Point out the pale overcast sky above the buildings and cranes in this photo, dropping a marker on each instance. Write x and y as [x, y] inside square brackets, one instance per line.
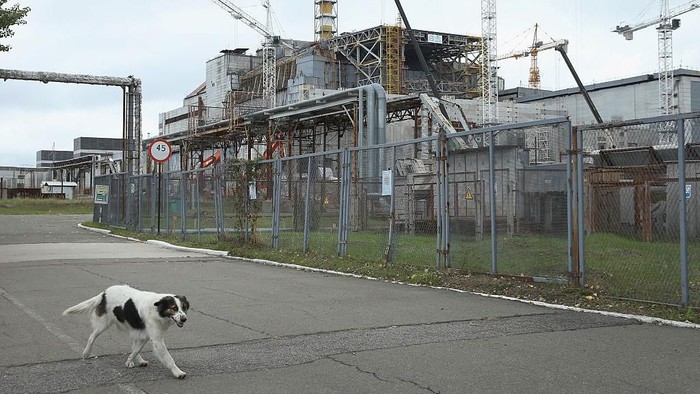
[166, 44]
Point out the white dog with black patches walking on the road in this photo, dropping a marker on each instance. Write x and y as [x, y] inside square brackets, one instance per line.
[145, 315]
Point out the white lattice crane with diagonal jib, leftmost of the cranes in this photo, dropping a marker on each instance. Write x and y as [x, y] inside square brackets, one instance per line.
[269, 50]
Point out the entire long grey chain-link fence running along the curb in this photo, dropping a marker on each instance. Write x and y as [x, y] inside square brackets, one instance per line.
[599, 206]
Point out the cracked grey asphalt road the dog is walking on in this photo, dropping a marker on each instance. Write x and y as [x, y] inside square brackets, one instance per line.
[256, 328]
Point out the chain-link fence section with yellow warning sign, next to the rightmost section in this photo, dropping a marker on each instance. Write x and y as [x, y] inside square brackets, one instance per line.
[508, 200]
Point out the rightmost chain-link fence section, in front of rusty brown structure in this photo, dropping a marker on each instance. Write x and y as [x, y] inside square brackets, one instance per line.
[641, 208]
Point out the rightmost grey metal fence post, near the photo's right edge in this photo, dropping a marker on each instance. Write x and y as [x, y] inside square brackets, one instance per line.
[682, 217]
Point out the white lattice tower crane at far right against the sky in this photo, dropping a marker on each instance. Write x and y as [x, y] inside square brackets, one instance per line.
[665, 28]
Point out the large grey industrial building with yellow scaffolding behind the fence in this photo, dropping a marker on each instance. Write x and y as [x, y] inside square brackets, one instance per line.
[317, 92]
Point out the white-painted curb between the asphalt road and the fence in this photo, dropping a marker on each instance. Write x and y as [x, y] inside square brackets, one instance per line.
[639, 318]
